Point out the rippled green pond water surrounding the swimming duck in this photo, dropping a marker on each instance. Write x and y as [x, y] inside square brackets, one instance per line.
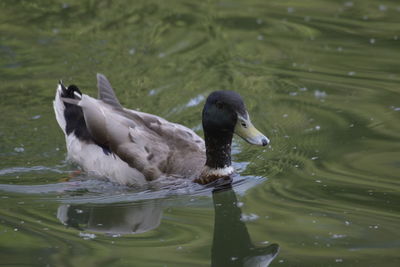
[320, 78]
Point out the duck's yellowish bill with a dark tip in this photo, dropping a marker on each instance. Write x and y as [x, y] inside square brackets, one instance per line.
[245, 129]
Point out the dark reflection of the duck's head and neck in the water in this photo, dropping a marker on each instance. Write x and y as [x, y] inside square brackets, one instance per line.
[232, 245]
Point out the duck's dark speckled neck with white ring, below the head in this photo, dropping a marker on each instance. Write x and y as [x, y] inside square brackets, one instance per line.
[218, 154]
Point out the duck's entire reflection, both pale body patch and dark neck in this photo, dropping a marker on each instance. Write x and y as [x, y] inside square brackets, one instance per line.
[231, 245]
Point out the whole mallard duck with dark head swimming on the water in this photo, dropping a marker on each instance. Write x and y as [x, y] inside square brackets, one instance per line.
[131, 147]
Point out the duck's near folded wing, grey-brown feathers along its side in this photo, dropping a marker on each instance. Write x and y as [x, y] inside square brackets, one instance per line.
[125, 136]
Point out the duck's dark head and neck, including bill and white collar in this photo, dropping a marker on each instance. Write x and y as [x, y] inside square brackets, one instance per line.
[224, 114]
